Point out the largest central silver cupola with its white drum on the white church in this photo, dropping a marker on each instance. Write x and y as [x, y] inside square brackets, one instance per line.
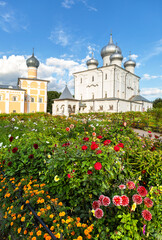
[108, 50]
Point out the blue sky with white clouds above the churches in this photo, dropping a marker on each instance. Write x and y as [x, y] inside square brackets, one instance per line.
[64, 32]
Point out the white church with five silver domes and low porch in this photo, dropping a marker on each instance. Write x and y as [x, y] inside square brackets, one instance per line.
[110, 88]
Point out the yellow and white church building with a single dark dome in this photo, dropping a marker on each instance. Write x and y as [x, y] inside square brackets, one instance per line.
[29, 95]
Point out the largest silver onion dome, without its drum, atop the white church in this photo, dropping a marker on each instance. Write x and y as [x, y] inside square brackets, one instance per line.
[109, 49]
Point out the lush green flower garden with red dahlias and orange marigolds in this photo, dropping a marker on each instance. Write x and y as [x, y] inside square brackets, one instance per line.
[78, 160]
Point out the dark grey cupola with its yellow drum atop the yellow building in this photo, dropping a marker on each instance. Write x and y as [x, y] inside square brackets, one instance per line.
[32, 64]
